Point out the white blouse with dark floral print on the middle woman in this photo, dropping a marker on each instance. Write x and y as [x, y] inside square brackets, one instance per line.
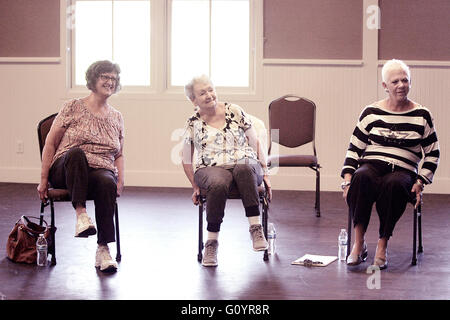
[220, 147]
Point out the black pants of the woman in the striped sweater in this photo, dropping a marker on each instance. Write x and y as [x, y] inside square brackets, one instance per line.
[388, 187]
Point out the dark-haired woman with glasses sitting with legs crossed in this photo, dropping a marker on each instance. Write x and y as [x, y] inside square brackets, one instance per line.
[83, 153]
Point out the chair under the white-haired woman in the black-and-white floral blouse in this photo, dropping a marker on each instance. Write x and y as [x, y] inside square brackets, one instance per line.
[234, 194]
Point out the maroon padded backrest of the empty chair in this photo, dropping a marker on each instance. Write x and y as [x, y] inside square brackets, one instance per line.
[294, 117]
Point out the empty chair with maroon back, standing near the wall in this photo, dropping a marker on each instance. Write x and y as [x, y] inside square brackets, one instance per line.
[292, 124]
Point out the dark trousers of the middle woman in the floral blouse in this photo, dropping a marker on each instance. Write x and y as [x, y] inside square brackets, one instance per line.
[218, 181]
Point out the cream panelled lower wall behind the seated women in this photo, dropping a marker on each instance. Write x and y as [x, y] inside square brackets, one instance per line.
[31, 91]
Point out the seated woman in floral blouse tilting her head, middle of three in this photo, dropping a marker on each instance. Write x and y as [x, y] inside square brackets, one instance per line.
[222, 147]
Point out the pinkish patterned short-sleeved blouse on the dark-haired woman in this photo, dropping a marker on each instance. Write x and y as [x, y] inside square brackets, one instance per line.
[98, 136]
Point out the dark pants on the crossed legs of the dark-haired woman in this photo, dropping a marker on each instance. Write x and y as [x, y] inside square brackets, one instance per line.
[72, 172]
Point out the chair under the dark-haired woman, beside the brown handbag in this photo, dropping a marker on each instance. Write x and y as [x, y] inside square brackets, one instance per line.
[62, 195]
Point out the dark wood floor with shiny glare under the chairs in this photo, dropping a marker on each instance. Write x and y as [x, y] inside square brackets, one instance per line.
[159, 243]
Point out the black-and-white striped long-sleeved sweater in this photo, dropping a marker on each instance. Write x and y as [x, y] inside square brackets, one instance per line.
[398, 138]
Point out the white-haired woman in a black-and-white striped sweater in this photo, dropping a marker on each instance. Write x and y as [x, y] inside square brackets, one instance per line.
[382, 161]
